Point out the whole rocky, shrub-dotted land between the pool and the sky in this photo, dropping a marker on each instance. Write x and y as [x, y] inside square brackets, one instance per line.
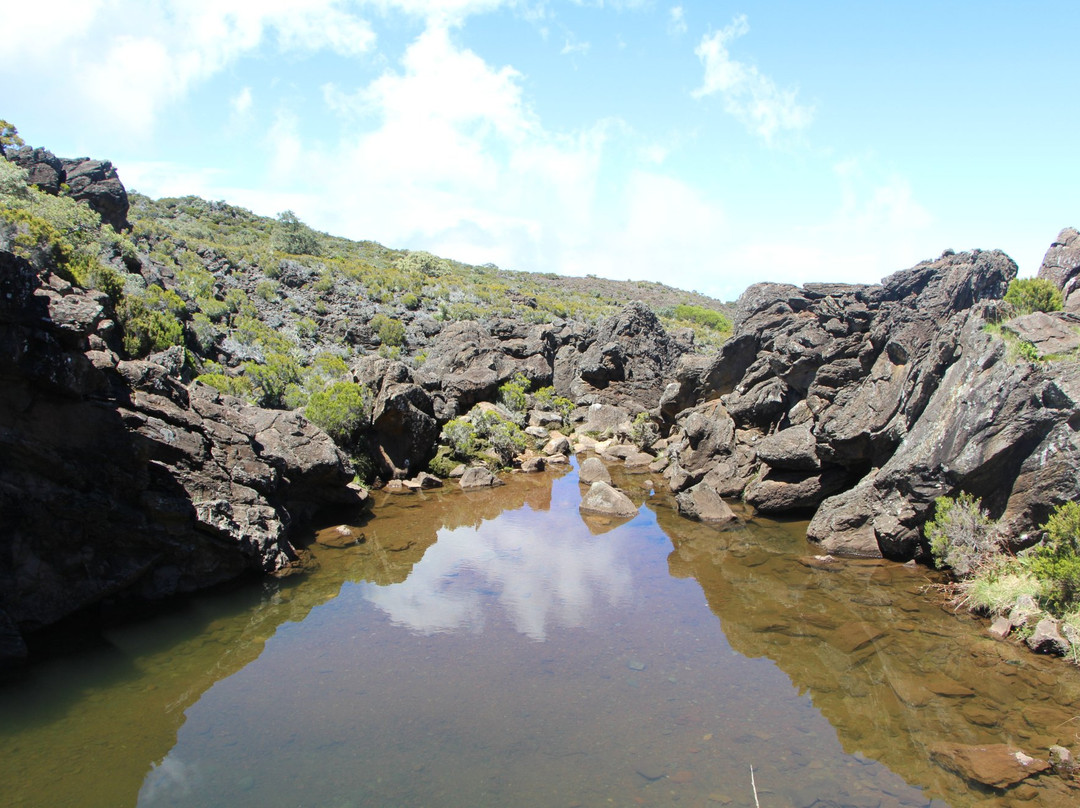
[126, 476]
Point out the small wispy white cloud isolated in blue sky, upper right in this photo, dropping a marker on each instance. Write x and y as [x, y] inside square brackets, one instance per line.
[751, 98]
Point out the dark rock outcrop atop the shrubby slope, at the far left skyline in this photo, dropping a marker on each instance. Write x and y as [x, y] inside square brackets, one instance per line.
[93, 182]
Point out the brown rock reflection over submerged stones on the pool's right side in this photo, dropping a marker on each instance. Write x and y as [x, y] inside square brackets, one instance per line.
[893, 671]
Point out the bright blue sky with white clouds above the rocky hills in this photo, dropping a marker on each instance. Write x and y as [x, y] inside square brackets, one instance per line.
[705, 145]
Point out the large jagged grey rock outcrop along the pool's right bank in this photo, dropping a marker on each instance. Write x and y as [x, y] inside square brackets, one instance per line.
[863, 405]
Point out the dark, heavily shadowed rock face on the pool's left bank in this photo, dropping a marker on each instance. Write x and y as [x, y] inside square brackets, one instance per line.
[119, 481]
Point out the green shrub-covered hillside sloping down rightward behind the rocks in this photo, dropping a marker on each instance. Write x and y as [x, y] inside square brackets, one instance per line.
[294, 277]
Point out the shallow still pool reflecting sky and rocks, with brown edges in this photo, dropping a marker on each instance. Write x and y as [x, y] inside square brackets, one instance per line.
[495, 650]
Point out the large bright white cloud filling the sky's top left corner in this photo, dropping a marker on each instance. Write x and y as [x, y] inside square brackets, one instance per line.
[127, 61]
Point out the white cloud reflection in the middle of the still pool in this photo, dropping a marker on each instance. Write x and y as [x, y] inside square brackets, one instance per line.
[543, 568]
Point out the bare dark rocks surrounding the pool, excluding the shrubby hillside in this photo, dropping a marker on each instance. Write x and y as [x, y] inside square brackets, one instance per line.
[857, 406]
